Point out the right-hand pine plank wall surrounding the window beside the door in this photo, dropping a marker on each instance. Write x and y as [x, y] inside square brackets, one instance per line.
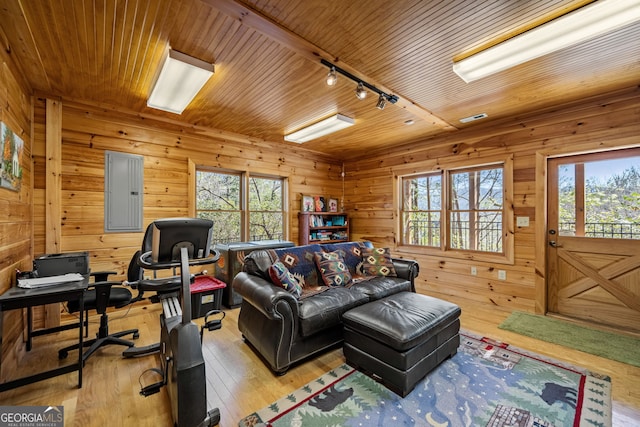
[591, 125]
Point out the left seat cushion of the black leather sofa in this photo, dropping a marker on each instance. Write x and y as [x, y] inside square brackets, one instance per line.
[325, 310]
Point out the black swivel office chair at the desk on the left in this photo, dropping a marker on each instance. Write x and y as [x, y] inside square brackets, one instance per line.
[100, 295]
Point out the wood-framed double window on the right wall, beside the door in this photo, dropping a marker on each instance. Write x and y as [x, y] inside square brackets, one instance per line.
[458, 210]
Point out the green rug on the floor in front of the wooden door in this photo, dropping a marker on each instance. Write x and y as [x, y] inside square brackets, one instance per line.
[621, 348]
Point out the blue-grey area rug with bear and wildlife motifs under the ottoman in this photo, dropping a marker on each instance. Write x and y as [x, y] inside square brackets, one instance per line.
[487, 383]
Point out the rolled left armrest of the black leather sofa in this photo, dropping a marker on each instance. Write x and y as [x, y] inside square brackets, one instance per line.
[263, 295]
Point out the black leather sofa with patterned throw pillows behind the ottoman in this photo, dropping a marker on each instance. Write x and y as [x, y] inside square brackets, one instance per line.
[284, 329]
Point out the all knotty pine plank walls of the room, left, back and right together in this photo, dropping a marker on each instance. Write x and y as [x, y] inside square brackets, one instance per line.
[169, 148]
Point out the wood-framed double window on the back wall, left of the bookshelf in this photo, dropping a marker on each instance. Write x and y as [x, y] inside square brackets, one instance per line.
[243, 207]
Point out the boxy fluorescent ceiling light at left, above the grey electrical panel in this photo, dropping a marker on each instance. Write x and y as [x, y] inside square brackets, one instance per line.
[179, 81]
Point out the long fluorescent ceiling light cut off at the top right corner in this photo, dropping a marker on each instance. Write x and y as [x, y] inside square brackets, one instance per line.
[582, 24]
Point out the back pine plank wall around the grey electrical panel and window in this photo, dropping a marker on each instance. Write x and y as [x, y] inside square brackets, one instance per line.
[168, 148]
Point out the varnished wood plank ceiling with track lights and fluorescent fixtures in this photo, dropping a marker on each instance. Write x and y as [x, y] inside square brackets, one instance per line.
[269, 80]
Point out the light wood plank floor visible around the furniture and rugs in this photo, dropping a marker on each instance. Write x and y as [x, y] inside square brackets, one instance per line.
[238, 383]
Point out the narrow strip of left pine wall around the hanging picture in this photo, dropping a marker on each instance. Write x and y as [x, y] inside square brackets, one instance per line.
[15, 206]
